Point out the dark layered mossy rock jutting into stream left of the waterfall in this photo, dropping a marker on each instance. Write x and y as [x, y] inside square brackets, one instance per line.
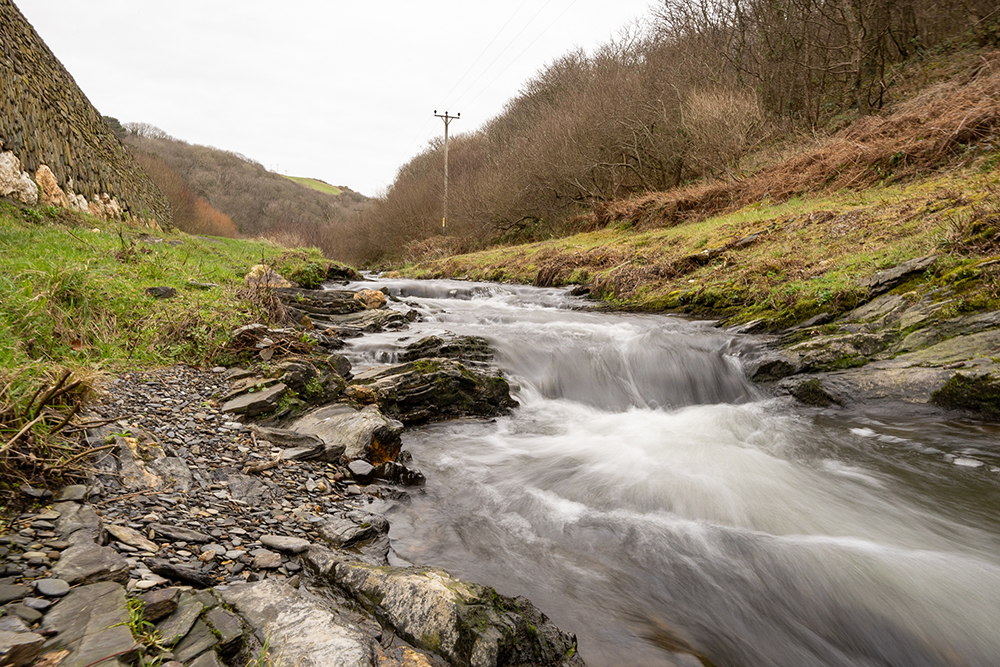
[433, 389]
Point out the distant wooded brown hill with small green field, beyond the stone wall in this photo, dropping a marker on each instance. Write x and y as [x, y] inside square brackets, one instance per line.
[260, 202]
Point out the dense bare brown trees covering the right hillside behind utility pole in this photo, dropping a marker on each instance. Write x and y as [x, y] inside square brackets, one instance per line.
[690, 95]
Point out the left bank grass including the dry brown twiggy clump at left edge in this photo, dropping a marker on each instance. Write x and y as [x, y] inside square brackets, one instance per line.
[73, 307]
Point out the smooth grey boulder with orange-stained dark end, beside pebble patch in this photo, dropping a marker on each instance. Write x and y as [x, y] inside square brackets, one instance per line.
[352, 434]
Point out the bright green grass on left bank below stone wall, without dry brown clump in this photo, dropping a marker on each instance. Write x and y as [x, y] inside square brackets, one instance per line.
[72, 292]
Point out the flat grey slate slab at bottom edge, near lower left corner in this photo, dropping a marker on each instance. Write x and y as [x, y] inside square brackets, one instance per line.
[92, 623]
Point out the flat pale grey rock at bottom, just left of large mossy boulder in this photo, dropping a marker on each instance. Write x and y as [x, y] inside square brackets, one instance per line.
[301, 628]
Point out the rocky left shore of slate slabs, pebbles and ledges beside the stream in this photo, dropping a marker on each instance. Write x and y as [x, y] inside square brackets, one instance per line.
[226, 518]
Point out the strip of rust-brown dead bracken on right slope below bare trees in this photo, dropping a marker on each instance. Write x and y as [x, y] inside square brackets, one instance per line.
[926, 133]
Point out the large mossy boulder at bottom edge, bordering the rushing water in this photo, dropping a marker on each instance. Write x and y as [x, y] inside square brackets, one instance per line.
[465, 623]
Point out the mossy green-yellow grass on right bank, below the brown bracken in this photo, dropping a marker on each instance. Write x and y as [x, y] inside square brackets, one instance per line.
[810, 256]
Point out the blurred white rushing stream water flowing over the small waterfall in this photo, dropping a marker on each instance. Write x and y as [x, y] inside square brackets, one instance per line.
[650, 499]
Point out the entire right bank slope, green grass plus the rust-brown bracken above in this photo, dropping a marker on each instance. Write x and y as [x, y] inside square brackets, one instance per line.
[812, 225]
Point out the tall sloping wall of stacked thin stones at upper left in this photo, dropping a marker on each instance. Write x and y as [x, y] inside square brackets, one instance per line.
[46, 119]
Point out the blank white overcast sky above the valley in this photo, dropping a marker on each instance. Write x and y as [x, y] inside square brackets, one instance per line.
[336, 90]
